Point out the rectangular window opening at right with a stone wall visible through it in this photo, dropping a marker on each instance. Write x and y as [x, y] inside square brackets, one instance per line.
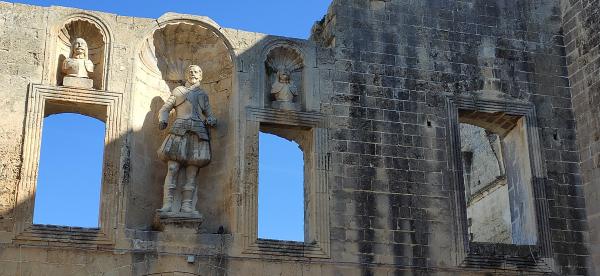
[497, 178]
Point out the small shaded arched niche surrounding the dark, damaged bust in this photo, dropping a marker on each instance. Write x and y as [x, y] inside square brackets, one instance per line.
[287, 60]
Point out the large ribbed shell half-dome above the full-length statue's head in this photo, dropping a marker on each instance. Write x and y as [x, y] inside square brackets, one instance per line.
[175, 46]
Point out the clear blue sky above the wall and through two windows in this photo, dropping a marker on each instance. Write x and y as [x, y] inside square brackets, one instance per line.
[280, 191]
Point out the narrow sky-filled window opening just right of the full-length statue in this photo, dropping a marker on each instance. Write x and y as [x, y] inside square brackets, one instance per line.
[280, 189]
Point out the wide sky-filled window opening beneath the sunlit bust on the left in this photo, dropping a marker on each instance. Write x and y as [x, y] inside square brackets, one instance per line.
[70, 171]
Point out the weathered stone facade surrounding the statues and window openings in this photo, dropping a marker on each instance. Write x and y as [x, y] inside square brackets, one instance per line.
[381, 86]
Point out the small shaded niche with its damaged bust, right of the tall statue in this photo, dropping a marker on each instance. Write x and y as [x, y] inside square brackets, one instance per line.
[284, 67]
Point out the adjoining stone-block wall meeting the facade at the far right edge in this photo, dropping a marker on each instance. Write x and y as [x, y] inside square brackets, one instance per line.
[581, 39]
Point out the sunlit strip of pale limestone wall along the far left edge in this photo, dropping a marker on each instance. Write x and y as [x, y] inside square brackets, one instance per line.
[22, 52]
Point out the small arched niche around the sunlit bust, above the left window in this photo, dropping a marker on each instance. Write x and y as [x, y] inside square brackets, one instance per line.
[98, 40]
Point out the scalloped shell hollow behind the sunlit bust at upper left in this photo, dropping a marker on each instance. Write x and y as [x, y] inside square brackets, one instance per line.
[92, 34]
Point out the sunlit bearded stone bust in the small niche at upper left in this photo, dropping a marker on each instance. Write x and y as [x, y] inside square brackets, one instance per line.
[78, 67]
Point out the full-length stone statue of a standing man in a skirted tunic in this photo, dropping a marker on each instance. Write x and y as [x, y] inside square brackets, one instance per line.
[188, 142]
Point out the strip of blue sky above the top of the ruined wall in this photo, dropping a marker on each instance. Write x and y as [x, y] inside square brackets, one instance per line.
[293, 18]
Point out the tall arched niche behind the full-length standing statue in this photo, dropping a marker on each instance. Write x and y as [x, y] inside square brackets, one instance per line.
[161, 61]
